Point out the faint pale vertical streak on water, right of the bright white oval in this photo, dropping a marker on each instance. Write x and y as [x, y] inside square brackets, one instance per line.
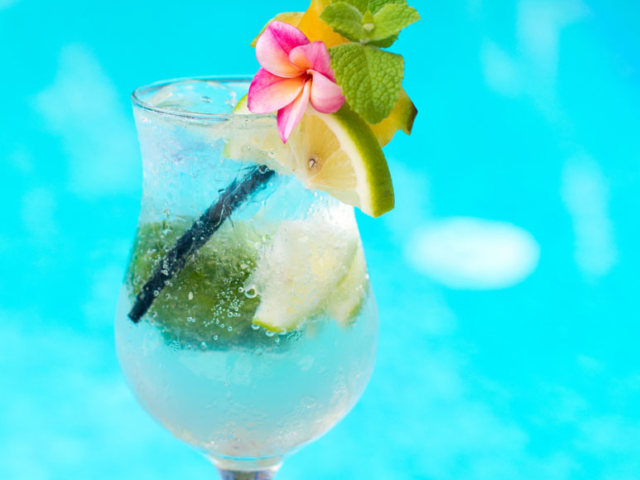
[586, 195]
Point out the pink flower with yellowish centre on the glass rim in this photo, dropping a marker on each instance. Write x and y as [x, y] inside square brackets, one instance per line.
[294, 71]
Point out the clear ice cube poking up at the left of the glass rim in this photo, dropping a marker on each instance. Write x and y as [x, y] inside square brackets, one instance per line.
[195, 96]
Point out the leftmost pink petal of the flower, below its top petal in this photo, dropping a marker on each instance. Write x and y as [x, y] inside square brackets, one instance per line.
[269, 93]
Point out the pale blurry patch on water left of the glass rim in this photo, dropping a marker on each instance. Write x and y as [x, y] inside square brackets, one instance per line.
[84, 108]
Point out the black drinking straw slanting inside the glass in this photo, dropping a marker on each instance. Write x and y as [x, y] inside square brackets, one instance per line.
[197, 235]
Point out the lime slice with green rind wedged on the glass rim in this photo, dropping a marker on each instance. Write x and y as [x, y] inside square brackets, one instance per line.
[336, 153]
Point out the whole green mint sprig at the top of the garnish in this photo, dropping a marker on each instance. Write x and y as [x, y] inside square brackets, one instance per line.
[371, 78]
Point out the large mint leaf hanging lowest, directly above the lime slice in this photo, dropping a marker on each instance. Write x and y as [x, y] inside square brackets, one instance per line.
[370, 78]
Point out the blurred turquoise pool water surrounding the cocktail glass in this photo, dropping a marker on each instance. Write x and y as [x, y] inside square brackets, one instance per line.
[507, 276]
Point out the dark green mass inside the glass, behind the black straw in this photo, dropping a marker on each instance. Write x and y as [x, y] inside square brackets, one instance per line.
[205, 302]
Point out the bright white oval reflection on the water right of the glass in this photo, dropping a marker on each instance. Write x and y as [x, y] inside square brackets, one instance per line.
[475, 254]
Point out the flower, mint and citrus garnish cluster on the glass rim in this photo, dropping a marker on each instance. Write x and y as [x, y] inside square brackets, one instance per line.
[331, 60]
